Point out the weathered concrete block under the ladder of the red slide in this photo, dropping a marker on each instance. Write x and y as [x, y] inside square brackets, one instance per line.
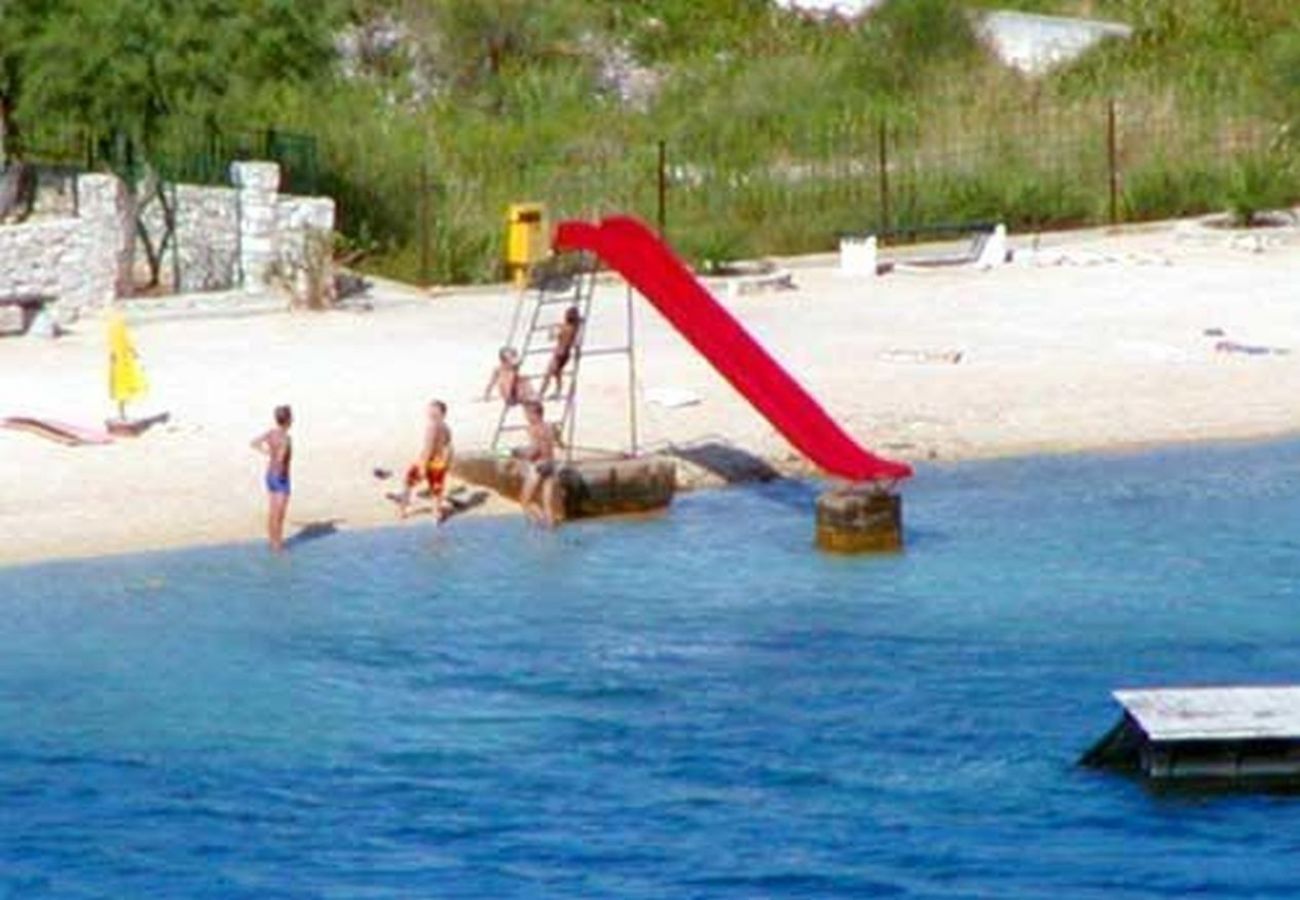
[590, 488]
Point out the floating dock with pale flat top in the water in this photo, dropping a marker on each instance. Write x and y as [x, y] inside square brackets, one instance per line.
[1212, 735]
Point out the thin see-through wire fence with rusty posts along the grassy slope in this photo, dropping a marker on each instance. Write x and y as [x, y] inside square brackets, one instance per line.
[1037, 165]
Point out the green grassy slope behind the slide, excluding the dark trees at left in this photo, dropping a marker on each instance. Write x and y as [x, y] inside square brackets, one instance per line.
[774, 129]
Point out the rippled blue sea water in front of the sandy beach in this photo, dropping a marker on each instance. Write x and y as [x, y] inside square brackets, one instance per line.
[692, 707]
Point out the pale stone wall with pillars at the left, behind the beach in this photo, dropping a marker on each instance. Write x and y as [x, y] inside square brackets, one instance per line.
[226, 237]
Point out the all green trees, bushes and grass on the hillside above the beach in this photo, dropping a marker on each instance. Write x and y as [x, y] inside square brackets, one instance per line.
[775, 123]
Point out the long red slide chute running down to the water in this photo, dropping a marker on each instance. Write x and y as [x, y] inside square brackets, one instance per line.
[639, 256]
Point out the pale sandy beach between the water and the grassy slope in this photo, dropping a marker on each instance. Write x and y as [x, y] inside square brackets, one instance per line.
[1089, 341]
